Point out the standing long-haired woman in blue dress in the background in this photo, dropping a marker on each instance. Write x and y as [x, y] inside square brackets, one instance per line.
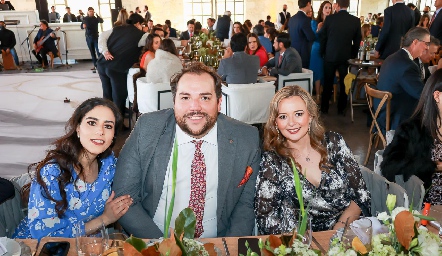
[316, 61]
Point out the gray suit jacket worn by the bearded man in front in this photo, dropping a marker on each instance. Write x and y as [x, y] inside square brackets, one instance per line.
[143, 161]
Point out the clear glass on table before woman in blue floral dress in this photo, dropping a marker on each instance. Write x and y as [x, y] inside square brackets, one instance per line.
[91, 243]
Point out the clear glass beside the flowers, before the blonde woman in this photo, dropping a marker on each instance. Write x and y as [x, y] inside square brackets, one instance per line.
[357, 226]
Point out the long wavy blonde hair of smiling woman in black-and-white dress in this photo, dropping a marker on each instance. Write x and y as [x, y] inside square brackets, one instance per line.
[274, 141]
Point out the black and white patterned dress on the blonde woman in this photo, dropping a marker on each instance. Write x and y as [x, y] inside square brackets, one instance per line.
[276, 197]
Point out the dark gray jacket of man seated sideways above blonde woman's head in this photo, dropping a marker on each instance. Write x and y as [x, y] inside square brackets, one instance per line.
[291, 63]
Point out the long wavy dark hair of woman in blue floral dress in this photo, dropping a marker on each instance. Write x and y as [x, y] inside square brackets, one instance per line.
[67, 152]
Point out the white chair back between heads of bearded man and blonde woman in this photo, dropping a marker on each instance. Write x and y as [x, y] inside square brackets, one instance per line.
[248, 103]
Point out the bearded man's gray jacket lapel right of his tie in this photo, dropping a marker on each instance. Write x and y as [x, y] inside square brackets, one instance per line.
[226, 156]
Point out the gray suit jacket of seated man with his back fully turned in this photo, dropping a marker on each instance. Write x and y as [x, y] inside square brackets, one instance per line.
[241, 68]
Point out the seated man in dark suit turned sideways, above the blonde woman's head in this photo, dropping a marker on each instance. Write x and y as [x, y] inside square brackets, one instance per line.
[286, 60]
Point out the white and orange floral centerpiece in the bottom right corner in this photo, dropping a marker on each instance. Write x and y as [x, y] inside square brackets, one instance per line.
[404, 236]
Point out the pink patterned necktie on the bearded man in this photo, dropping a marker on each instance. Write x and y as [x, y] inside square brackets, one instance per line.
[198, 187]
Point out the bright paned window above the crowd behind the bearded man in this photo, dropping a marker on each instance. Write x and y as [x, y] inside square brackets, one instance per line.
[200, 10]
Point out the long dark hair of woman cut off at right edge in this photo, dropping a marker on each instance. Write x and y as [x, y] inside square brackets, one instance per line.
[427, 110]
